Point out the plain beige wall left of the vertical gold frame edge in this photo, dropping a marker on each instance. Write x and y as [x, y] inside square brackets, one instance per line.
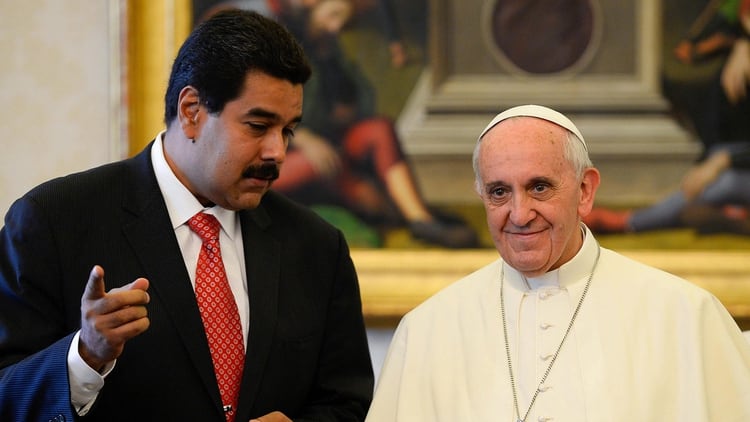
[56, 93]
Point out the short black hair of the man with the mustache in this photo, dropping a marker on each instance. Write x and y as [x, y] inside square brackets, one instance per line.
[219, 52]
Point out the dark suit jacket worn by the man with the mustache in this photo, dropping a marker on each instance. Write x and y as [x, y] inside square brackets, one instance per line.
[307, 353]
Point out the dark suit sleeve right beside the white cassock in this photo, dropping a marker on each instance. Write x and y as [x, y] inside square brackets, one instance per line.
[345, 378]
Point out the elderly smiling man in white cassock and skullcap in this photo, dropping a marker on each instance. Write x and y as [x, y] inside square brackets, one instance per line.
[559, 328]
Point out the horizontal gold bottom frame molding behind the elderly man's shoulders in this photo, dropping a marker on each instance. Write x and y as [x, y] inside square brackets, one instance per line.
[392, 282]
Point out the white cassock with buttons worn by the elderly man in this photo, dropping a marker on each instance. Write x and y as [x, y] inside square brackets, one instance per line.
[646, 346]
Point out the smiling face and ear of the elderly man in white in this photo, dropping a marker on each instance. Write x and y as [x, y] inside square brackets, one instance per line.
[531, 194]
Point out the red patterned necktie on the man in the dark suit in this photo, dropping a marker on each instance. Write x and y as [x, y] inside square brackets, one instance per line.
[221, 319]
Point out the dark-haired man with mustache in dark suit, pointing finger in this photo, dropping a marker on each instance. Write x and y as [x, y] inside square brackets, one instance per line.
[98, 312]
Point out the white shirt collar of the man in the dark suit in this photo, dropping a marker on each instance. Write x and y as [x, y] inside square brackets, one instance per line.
[181, 203]
